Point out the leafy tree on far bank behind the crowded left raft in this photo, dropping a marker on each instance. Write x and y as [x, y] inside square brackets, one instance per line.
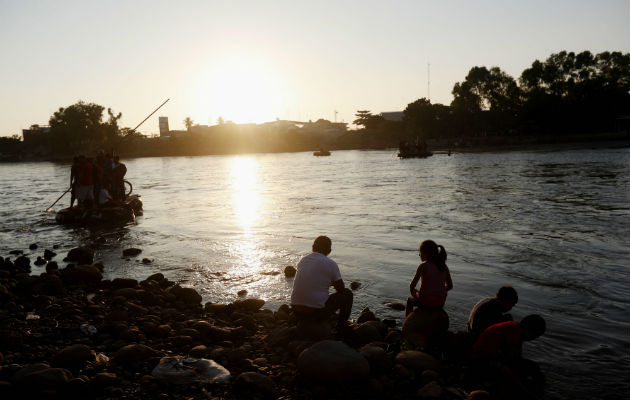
[80, 126]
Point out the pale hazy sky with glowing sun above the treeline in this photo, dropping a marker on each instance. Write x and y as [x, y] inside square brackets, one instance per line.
[256, 61]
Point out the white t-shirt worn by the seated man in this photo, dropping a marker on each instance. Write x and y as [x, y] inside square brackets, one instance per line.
[315, 273]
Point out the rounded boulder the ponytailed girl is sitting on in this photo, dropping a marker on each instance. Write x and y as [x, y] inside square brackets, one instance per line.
[421, 326]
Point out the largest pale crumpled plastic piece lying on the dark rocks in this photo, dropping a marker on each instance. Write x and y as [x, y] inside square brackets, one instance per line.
[183, 370]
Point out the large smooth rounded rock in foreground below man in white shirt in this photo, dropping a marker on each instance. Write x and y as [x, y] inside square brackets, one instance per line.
[333, 362]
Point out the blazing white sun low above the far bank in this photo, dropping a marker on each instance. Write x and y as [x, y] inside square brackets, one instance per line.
[241, 89]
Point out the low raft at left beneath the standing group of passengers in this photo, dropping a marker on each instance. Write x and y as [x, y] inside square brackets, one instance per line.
[104, 215]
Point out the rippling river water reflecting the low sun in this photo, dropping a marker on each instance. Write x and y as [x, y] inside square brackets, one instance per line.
[554, 224]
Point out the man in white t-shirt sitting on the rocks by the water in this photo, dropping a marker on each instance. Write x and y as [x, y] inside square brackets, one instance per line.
[315, 274]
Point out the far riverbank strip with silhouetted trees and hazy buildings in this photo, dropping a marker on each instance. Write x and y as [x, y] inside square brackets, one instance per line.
[567, 98]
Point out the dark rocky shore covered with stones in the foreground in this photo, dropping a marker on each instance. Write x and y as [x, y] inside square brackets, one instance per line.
[68, 333]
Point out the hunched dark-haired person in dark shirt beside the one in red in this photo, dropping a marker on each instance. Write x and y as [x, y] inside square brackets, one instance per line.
[491, 311]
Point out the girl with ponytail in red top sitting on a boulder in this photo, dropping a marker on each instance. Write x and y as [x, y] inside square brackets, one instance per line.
[434, 276]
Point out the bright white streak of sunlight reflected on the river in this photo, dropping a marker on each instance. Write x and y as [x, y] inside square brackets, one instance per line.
[245, 191]
